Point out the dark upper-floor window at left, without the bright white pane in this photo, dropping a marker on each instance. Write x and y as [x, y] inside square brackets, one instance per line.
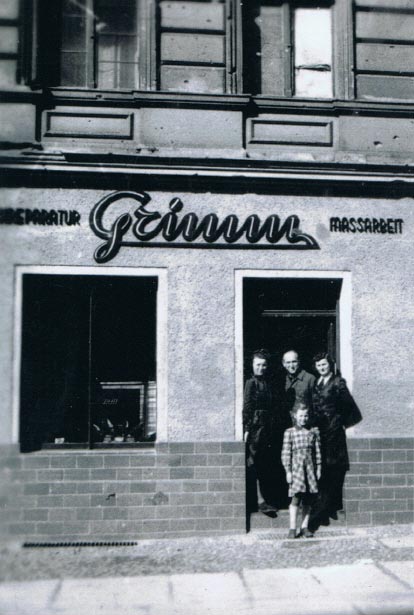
[93, 44]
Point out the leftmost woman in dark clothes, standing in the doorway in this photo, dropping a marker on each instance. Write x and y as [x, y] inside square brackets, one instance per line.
[258, 413]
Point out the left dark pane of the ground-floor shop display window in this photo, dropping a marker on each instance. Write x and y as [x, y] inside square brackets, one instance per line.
[54, 373]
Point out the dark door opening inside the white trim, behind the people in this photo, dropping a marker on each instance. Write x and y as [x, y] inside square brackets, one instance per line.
[281, 314]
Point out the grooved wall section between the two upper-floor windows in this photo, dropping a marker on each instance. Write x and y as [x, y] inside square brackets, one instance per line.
[194, 54]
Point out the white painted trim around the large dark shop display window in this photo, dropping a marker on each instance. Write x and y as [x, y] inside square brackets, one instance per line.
[162, 333]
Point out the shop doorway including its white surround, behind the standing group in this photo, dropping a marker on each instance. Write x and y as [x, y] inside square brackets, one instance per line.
[280, 311]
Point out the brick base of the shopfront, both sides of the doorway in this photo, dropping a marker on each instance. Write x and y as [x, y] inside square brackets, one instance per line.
[175, 489]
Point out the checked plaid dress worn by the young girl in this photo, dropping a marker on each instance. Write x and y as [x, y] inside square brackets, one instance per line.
[301, 455]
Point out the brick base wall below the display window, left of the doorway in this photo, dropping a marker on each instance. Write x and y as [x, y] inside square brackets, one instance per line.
[175, 489]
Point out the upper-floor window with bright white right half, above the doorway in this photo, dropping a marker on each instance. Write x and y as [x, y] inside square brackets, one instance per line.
[288, 49]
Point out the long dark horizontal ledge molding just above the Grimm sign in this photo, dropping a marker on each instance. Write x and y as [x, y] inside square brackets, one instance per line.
[98, 166]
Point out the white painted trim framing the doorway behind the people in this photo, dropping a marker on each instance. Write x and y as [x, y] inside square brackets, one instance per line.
[345, 324]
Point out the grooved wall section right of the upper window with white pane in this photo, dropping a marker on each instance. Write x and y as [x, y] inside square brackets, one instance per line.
[384, 49]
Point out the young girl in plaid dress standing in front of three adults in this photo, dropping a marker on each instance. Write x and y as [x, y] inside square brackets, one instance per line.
[301, 458]
